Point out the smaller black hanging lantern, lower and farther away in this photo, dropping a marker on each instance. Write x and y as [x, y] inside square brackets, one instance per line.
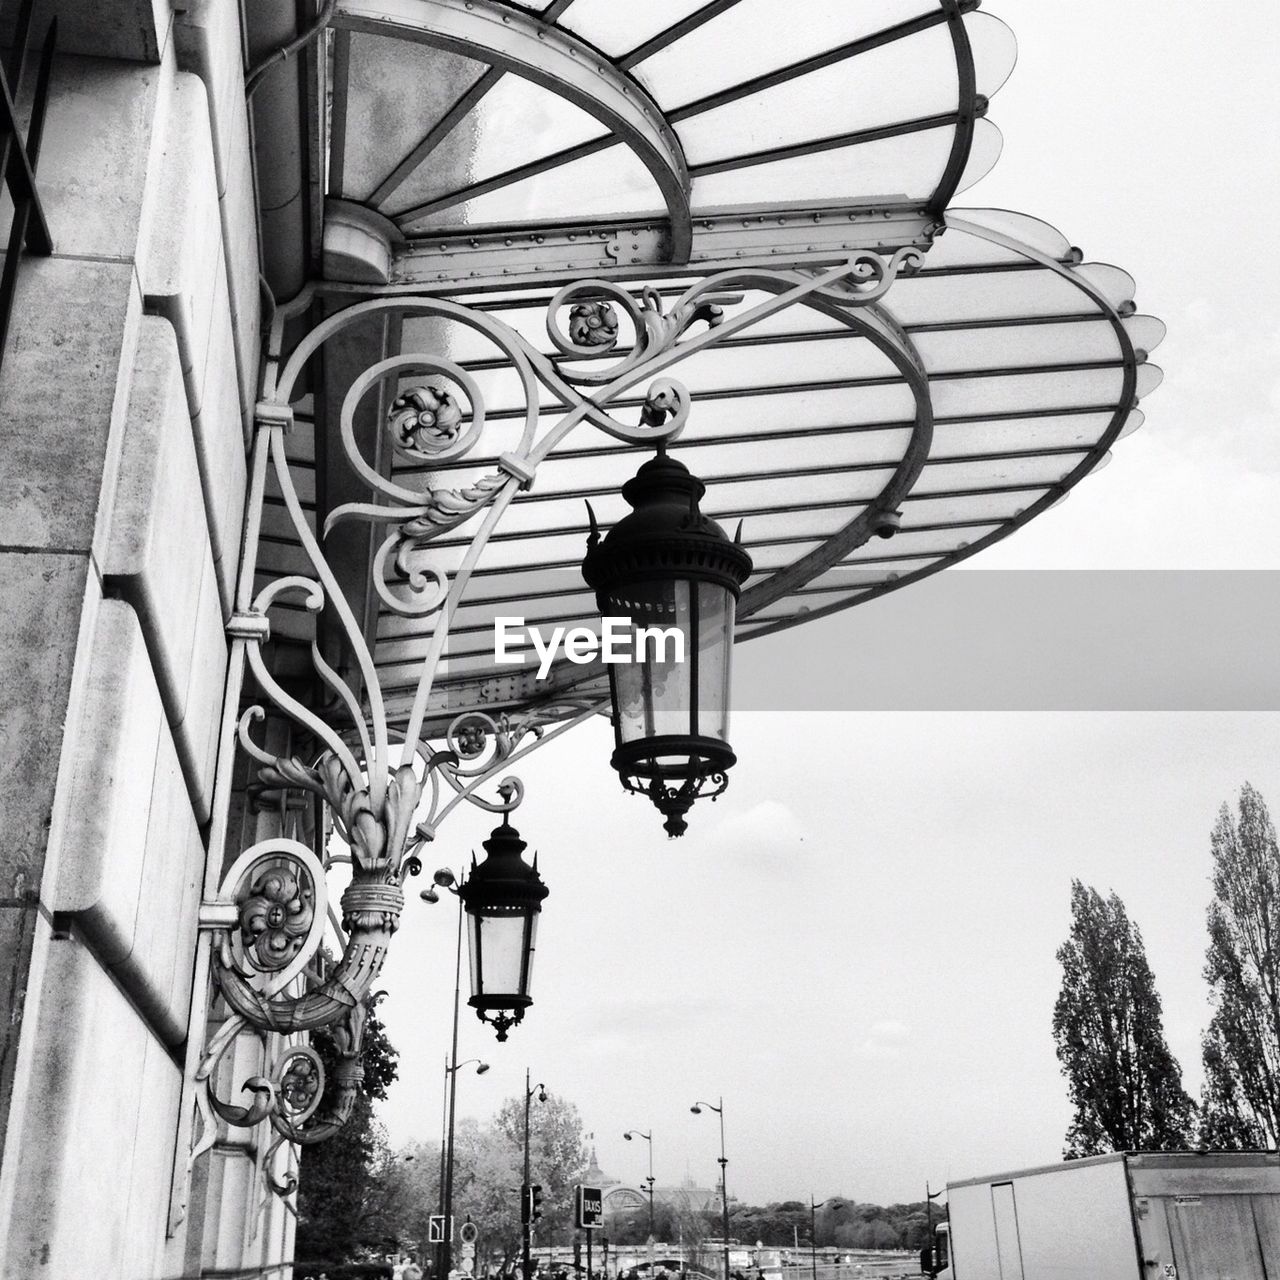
[504, 898]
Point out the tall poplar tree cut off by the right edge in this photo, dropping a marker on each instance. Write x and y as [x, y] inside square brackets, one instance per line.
[1242, 1046]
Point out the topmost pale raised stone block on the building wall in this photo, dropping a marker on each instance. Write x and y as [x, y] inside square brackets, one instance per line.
[182, 271]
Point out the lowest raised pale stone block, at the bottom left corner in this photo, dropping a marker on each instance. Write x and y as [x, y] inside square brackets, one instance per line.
[94, 1141]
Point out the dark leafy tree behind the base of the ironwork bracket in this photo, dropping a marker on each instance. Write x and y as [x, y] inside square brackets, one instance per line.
[346, 1204]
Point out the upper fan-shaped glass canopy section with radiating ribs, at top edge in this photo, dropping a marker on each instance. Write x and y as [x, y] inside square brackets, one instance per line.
[450, 116]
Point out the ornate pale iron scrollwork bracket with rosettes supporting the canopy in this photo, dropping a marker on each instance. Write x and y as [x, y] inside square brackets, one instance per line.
[267, 920]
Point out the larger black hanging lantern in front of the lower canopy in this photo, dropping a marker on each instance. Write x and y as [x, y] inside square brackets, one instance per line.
[675, 575]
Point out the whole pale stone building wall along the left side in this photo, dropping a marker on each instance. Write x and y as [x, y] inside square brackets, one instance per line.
[125, 395]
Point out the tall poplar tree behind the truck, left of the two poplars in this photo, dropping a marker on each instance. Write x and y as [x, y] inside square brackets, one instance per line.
[1123, 1081]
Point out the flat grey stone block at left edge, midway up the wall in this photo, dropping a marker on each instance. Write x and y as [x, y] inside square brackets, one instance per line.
[44, 597]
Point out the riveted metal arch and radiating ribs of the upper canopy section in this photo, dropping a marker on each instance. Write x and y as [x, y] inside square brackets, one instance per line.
[501, 39]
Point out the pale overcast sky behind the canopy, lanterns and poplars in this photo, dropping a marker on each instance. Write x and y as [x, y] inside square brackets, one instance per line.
[856, 945]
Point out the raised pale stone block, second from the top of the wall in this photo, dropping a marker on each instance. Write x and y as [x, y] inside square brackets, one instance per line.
[157, 545]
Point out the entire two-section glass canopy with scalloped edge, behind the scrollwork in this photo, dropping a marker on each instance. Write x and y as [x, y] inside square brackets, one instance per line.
[502, 152]
